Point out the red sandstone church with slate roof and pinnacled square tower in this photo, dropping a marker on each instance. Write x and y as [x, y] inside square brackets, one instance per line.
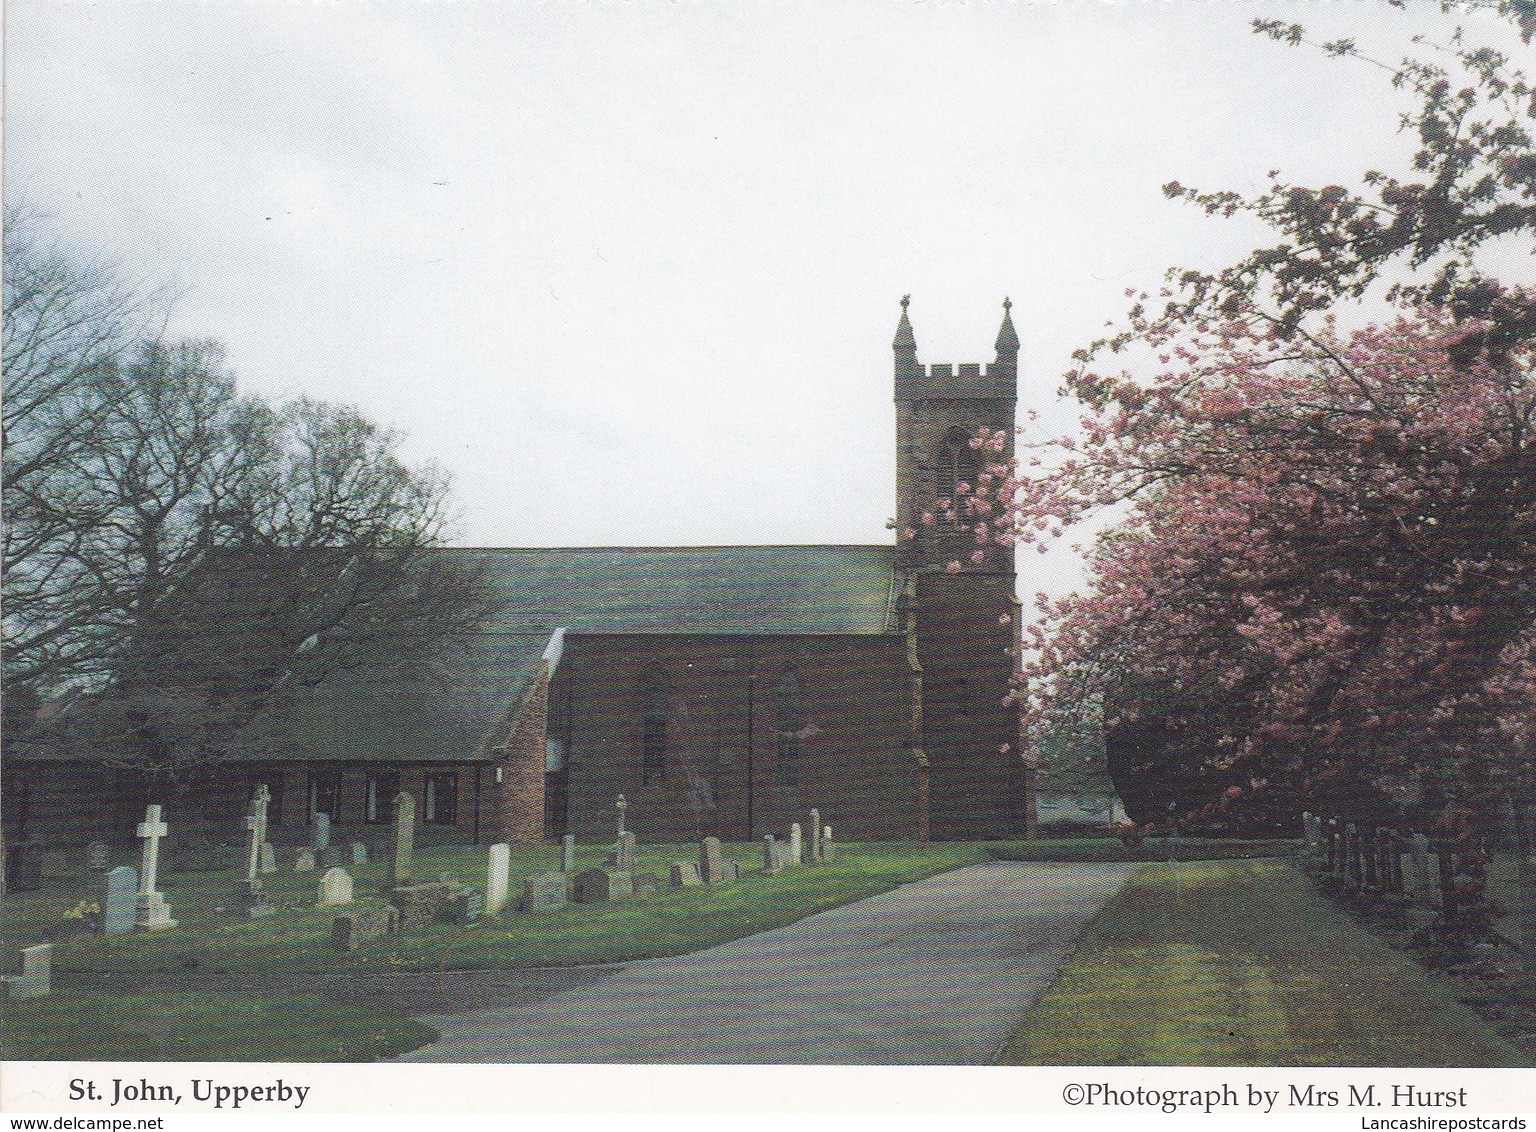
[721, 690]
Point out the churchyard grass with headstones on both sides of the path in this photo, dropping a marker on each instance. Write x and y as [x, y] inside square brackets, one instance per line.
[1216, 953]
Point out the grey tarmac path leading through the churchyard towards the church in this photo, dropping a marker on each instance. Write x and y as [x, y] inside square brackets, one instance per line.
[932, 973]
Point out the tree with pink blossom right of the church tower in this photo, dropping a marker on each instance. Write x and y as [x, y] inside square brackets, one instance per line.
[1323, 588]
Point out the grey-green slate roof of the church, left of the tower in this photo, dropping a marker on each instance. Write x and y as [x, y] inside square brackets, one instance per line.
[749, 591]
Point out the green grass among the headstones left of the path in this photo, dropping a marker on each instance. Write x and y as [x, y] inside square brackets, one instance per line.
[293, 947]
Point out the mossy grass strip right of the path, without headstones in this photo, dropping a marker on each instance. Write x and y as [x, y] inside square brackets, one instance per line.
[1243, 964]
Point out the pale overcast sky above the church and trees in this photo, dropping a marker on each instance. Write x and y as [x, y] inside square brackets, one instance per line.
[631, 271]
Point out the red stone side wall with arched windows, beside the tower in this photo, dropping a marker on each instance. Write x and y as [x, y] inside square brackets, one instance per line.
[738, 736]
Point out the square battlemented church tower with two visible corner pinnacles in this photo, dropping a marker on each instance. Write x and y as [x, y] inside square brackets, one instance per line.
[962, 623]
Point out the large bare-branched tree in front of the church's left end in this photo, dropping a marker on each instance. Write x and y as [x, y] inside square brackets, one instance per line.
[199, 558]
